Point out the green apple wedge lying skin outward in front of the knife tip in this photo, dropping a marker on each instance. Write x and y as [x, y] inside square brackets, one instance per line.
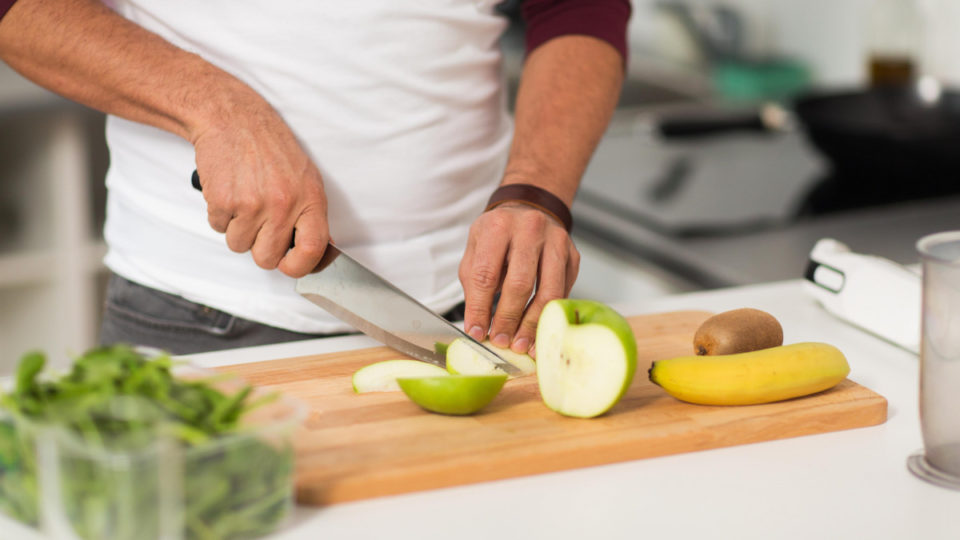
[453, 394]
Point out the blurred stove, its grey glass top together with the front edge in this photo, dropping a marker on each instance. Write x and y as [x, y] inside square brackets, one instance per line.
[729, 210]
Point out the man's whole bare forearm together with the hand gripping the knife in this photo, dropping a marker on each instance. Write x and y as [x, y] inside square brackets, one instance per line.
[258, 182]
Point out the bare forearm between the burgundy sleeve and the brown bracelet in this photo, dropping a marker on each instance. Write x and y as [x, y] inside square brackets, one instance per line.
[569, 88]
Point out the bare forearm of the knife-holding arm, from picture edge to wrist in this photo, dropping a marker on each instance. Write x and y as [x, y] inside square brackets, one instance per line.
[84, 51]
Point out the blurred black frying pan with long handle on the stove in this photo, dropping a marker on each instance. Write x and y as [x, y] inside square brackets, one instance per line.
[883, 145]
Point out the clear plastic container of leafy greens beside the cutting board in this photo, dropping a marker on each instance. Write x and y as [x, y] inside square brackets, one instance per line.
[110, 420]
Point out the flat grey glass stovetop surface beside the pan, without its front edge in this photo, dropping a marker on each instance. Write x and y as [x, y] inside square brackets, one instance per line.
[717, 185]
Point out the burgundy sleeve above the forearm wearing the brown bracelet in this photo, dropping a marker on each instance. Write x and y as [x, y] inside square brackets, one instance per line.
[602, 19]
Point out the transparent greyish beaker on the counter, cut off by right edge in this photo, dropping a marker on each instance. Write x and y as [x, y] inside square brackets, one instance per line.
[939, 462]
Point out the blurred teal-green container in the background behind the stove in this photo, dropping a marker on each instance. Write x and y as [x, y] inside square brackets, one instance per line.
[759, 80]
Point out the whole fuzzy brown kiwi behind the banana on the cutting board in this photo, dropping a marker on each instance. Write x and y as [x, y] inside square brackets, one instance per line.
[737, 331]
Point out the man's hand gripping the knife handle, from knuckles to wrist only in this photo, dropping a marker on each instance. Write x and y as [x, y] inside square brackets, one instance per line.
[260, 186]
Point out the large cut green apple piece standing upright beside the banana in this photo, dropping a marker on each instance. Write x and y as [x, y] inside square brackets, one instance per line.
[586, 357]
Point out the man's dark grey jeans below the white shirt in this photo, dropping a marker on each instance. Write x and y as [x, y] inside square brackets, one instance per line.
[140, 315]
